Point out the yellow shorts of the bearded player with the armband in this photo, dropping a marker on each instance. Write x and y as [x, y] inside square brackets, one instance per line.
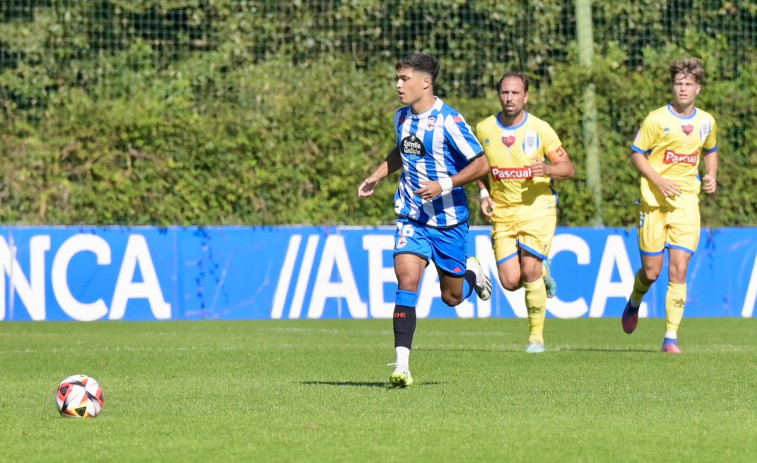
[524, 229]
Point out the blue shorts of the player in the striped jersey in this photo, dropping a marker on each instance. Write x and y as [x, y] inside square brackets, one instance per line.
[446, 247]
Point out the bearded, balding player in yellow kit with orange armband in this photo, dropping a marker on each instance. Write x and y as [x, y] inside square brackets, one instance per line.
[522, 205]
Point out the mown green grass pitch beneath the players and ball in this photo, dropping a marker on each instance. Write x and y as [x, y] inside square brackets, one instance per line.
[291, 391]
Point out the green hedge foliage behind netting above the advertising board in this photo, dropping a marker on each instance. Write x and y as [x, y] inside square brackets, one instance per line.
[261, 113]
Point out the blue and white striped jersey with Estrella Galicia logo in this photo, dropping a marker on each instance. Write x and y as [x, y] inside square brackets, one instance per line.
[433, 145]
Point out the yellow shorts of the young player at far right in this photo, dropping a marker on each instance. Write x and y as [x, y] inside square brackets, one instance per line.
[677, 228]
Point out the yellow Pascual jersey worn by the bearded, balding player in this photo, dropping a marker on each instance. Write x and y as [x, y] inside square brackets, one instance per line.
[510, 151]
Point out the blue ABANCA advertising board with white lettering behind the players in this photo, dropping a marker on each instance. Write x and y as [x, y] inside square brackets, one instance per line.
[193, 273]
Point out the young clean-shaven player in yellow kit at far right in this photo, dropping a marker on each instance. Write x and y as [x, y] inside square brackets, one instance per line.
[666, 151]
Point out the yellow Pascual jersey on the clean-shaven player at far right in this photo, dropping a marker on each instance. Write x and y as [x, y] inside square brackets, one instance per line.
[674, 145]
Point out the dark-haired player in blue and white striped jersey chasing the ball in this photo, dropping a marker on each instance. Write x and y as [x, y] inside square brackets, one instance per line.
[438, 154]
